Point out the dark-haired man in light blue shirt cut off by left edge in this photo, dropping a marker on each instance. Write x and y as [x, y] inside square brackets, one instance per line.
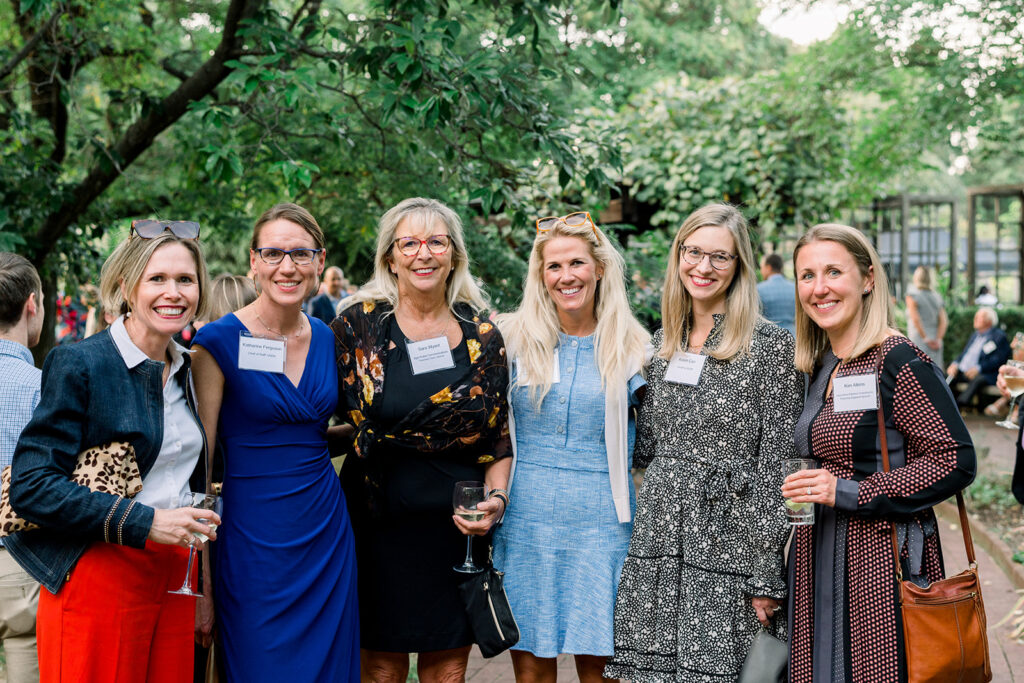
[21, 326]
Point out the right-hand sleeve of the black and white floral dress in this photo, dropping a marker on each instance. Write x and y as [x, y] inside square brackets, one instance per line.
[781, 401]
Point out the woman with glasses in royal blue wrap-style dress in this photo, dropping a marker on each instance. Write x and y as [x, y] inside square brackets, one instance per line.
[285, 583]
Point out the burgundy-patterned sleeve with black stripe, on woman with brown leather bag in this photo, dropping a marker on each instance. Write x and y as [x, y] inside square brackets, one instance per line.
[940, 452]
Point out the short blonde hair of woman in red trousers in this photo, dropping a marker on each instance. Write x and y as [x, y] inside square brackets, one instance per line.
[124, 268]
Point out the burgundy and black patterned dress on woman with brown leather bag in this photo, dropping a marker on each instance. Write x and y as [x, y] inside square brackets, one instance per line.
[845, 624]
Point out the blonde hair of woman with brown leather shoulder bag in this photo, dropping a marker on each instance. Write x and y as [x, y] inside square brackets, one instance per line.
[877, 311]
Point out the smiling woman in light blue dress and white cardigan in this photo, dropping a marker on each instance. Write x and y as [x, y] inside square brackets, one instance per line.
[577, 355]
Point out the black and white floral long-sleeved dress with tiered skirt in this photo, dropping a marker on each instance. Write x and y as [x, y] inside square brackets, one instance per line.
[710, 523]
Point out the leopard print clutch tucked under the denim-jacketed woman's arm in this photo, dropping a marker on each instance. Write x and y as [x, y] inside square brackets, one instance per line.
[110, 468]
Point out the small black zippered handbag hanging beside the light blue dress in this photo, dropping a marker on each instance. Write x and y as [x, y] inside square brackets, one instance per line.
[488, 609]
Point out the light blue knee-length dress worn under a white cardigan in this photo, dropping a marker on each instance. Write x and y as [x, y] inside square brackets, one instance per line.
[561, 544]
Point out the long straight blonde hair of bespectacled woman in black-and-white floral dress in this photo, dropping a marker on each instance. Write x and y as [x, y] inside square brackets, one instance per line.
[743, 307]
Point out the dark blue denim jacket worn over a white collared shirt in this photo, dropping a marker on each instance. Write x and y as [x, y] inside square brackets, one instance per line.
[90, 398]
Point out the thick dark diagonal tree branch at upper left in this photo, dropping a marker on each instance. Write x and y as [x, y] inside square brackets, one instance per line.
[144, 132]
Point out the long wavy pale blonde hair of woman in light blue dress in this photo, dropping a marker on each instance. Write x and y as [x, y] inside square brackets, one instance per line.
[532, 331]
